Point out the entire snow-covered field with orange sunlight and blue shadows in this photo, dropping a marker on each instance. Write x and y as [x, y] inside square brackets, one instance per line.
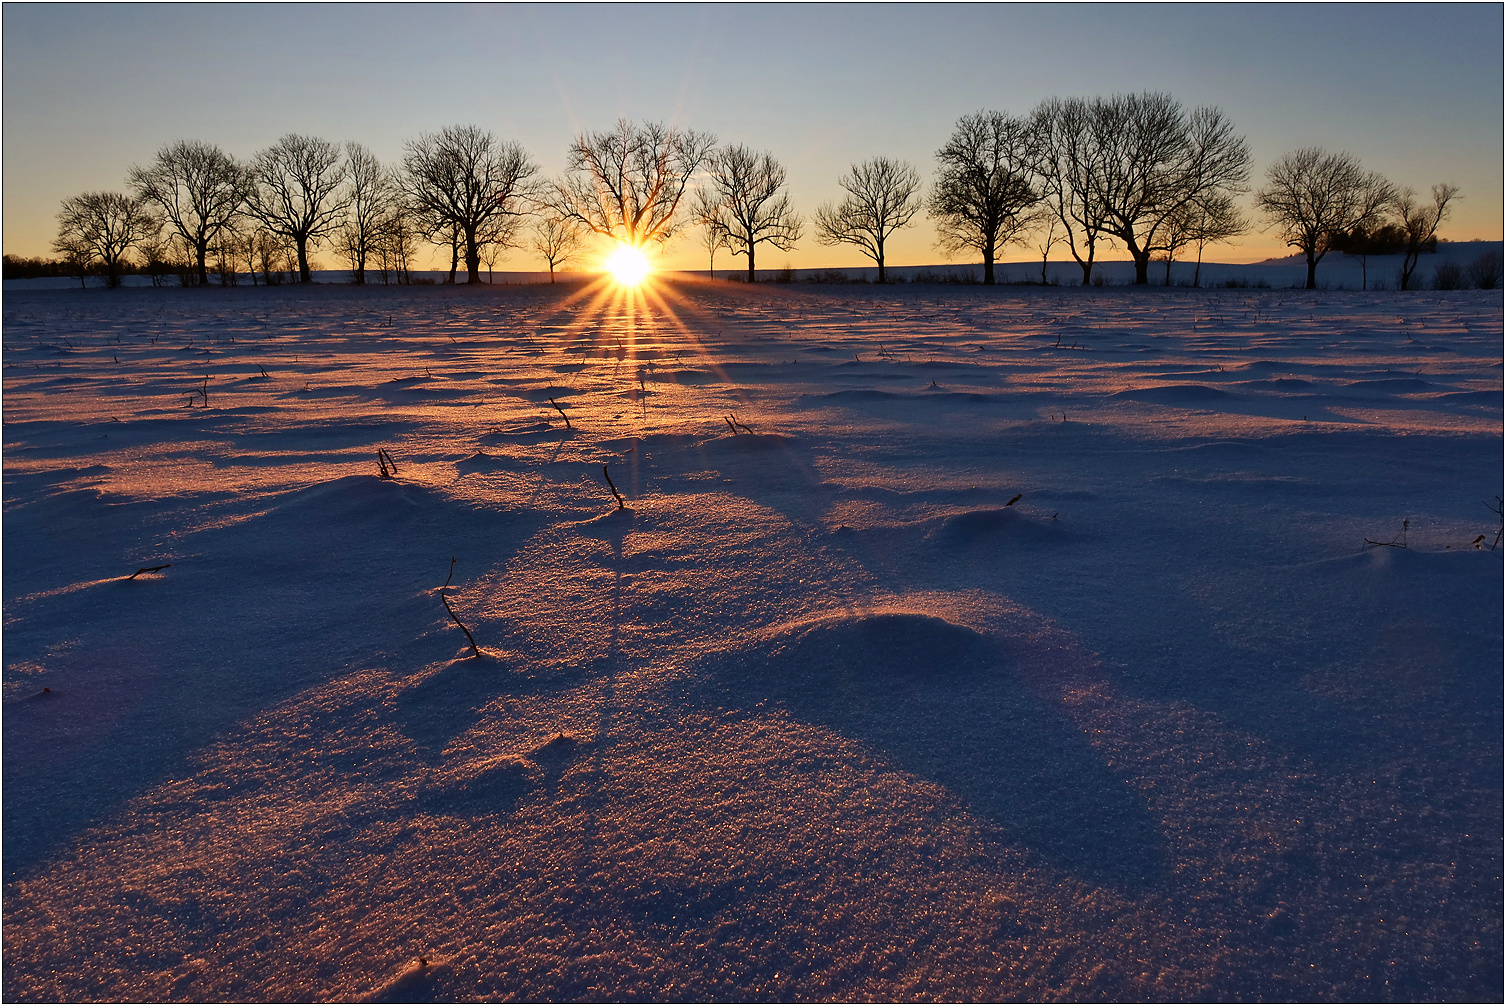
[820, 715]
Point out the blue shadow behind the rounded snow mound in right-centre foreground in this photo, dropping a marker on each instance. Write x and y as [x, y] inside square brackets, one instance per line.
[945, 703]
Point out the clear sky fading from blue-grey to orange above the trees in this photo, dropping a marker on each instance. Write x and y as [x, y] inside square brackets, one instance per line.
[1415, 91]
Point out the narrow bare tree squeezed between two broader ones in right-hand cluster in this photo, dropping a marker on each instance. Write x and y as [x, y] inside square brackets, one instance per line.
[1067, 160]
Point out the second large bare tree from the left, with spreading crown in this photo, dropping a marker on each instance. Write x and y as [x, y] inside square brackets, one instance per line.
[200, 191]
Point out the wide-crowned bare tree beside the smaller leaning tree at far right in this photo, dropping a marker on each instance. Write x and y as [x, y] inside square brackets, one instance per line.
[1311, 197]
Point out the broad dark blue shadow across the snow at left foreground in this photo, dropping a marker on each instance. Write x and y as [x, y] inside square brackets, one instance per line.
[252, 614]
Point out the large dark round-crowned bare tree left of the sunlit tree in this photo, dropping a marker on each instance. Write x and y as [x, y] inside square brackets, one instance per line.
[469, 186]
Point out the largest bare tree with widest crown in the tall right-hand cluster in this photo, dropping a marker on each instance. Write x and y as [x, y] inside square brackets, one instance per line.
[1154, 160]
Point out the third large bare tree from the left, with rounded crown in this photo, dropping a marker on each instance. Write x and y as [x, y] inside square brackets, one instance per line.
[297, 191]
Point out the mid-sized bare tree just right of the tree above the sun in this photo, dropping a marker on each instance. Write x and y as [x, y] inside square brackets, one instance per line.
[745, 204]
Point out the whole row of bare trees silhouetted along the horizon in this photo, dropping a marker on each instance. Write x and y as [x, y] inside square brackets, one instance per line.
[1136, 171]
